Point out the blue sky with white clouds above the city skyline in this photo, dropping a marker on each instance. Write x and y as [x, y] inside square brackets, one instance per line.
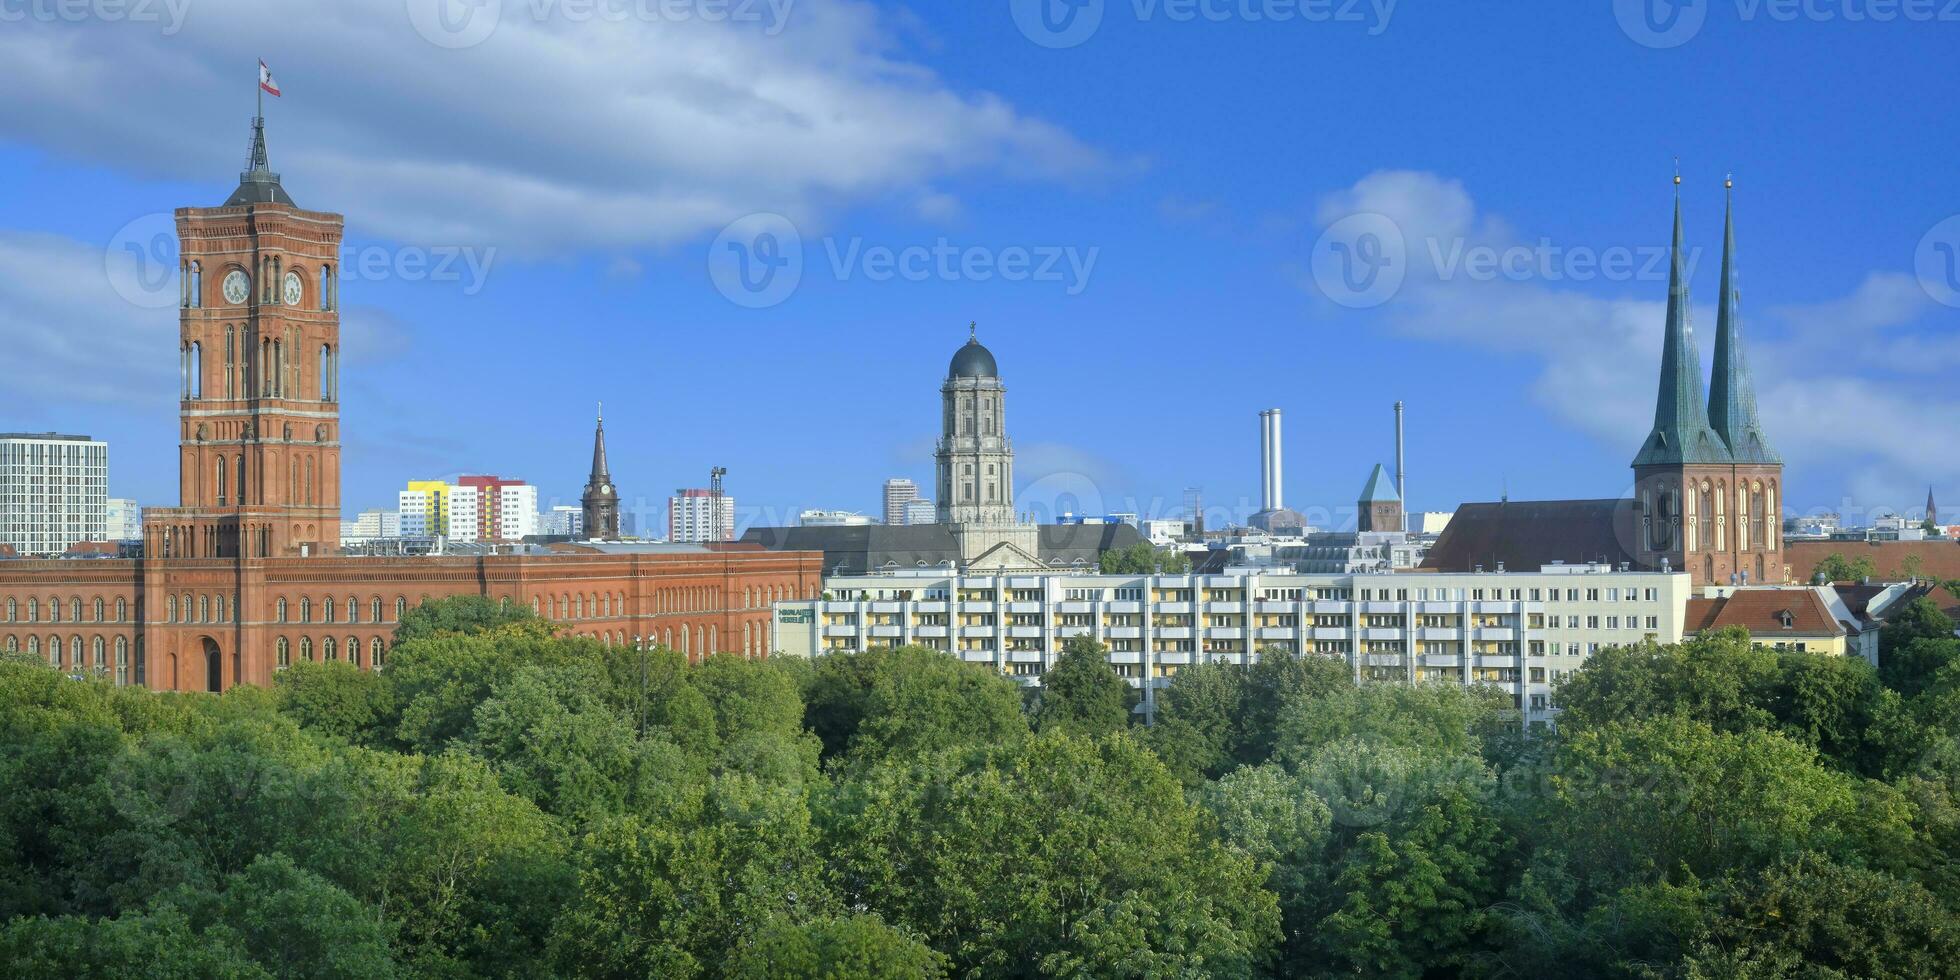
[1148, 222]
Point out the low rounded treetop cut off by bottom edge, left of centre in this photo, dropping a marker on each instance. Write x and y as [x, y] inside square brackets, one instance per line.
[834, 950]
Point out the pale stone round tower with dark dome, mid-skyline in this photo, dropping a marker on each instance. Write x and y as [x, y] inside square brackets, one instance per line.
[975, 454]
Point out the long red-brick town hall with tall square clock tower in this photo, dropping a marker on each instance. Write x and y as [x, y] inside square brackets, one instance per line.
[242, 577]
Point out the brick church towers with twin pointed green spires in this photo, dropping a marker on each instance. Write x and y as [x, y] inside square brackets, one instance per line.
[1708, 485]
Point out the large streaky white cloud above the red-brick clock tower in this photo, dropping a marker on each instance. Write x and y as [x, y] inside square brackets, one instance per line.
[552, 134]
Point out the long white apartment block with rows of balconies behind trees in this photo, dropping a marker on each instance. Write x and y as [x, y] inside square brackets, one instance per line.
[1520, 632]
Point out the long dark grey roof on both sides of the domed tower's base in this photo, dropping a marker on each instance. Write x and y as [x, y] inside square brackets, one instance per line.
[871, 548]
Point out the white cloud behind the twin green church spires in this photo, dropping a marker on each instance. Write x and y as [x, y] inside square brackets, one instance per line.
[1849, 389]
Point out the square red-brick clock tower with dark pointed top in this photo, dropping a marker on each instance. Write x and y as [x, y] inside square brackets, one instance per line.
[260, 430]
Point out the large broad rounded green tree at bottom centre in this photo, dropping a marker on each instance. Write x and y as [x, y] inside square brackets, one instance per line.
[1052, 856]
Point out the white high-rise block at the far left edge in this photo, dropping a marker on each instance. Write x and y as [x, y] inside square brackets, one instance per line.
[54, 491]
